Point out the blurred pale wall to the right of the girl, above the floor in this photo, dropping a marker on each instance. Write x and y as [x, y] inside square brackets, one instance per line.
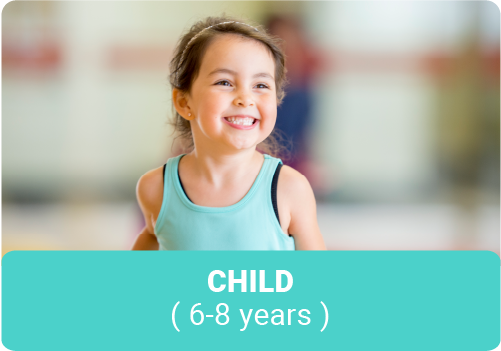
[390, 106]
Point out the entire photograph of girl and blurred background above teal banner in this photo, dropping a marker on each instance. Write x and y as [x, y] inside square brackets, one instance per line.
[251, 125]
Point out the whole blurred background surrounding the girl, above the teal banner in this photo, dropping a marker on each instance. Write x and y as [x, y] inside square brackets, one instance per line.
[393, 109]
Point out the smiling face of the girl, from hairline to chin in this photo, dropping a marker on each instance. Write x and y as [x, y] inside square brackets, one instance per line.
[233, 100]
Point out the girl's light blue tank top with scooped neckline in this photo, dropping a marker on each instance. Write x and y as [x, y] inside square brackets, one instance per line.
[250, 224]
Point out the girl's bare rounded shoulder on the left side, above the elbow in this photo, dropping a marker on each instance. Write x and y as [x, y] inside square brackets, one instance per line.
[149, 190]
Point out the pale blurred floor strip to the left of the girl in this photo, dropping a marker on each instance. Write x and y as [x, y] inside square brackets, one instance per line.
[69, 227]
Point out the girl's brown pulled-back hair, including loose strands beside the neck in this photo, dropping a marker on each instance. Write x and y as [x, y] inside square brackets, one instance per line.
[185, 66]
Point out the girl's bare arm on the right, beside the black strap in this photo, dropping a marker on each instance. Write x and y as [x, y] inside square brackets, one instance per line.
[302, 207]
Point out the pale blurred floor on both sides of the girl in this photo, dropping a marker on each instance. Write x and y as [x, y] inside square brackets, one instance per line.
[364, 227]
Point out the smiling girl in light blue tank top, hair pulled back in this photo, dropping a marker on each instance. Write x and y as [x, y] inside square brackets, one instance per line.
[227, 78]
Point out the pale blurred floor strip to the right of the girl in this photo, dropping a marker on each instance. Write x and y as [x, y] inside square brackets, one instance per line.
[410, 227]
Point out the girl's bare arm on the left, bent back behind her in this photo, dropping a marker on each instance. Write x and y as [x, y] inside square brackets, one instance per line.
[149, 194]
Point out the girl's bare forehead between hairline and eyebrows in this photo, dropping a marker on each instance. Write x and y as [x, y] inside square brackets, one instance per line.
[237, 53]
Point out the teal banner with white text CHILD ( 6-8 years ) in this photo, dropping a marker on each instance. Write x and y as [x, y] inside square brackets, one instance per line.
[337, 300]
